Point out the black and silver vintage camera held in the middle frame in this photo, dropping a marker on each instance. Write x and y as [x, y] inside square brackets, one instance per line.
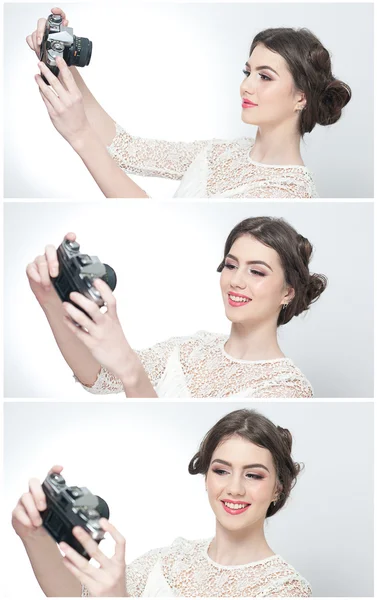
[77, 271]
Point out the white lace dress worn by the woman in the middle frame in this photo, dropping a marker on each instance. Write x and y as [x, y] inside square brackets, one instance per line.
[198, 367]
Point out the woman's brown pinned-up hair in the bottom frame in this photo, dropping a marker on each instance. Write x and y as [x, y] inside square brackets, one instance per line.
[254, 427]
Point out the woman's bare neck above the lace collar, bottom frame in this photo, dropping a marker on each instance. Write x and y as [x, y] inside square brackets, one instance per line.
[230, 548]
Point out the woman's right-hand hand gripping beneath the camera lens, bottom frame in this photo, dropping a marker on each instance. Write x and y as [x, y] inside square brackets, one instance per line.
[110, 578]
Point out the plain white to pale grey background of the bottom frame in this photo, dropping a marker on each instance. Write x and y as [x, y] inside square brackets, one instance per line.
[141, 451]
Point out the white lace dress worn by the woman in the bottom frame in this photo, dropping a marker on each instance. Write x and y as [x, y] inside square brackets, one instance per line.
[185, 569]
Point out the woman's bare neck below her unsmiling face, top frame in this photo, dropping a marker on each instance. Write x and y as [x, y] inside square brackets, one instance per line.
[277, 145]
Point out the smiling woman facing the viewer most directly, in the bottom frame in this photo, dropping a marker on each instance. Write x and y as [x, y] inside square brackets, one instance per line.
[249, 473]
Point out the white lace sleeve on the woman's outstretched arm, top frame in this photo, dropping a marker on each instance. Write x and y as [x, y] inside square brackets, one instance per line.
[155, 158]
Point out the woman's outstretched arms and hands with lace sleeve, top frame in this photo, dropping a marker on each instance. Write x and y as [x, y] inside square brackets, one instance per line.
[107, 150]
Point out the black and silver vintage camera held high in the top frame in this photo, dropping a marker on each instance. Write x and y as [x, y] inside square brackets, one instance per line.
[60, 41]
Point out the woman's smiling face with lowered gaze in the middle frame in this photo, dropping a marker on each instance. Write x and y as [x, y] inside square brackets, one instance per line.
[253, 283]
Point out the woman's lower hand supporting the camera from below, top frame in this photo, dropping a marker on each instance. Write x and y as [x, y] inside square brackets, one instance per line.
[64, 103]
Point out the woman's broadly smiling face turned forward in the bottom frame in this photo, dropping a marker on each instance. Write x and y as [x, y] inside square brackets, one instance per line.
[241, 484]
